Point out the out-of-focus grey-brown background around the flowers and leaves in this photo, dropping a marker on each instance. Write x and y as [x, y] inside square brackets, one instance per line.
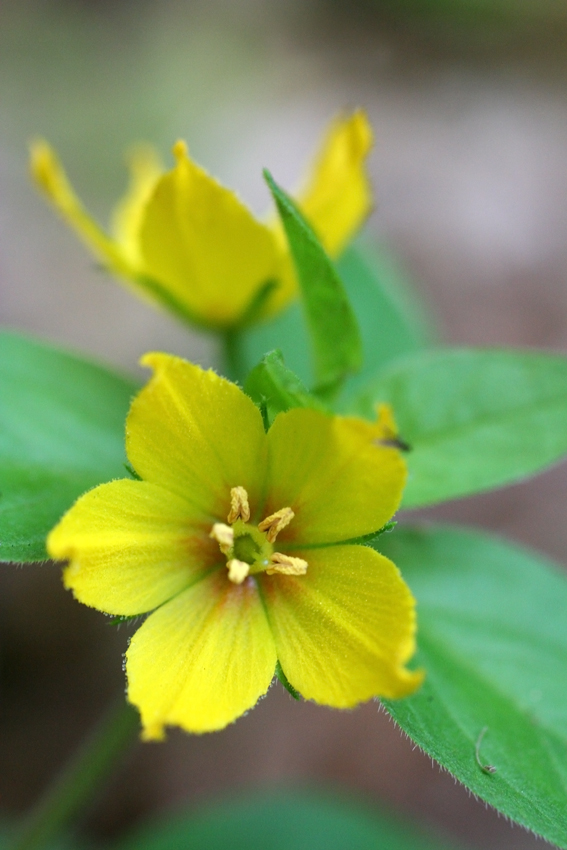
[469, 168]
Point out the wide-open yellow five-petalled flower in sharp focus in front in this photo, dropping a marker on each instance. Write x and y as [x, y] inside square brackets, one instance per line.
[237, 541]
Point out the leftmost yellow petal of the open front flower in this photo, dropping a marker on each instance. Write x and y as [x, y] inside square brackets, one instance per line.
[131, 546]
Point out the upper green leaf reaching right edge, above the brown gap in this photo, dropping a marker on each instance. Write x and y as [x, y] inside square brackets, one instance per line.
[474, 419]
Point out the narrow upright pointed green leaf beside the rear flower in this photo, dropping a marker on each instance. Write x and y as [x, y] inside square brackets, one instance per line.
[334, 331]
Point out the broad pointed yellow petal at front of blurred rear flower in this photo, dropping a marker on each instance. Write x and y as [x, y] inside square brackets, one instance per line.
[204, 246]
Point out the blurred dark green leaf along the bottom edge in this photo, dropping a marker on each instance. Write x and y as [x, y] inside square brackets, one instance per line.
[281, 820]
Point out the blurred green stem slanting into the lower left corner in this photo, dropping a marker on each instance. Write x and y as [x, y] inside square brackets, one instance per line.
[81, 777]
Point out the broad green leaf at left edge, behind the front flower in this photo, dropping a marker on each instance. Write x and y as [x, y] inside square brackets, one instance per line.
[61, 433]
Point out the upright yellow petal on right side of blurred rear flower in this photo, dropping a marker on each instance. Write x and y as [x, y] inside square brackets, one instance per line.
[338, 197]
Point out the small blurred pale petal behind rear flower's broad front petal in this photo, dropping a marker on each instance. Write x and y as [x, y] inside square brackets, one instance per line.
[145, 170]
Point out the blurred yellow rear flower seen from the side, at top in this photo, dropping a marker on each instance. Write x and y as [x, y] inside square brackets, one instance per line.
[183, 240]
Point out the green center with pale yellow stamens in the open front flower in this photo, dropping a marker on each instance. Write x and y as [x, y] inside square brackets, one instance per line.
[249, 549]
